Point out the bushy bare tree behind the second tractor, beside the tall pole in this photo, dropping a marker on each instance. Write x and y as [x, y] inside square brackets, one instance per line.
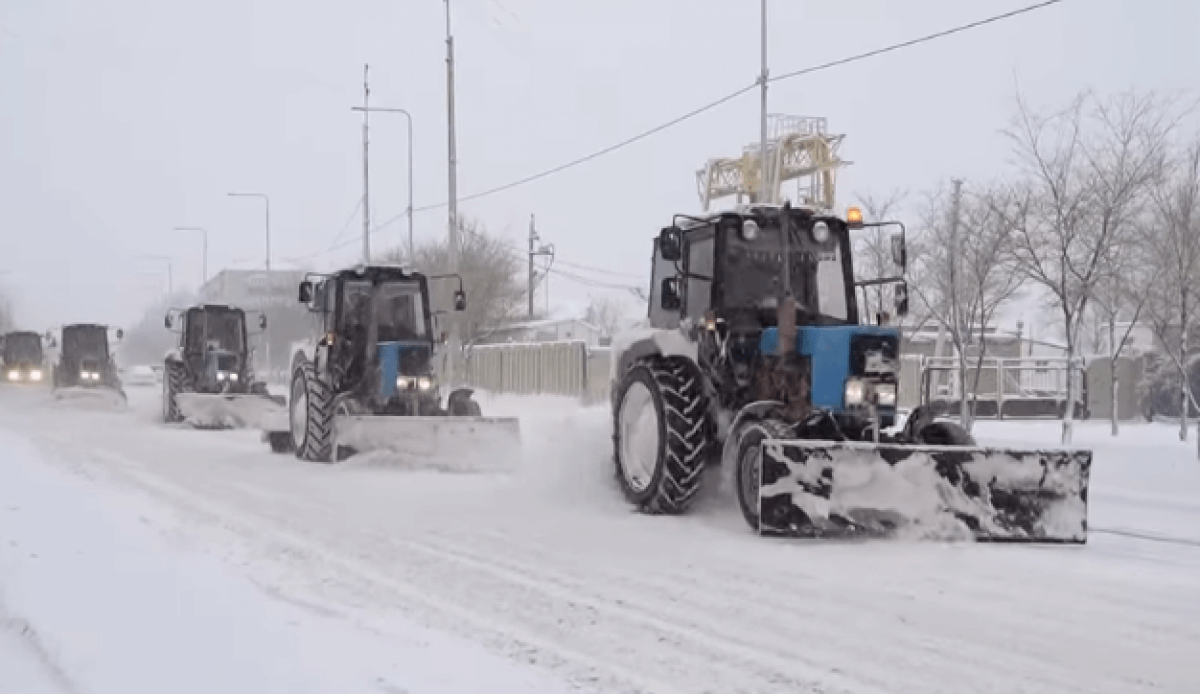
[491, 274]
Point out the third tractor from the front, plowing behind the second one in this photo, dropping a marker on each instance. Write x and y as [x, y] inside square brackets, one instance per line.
[208, 379]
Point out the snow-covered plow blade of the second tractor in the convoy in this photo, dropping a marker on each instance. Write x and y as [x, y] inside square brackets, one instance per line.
[448, 444]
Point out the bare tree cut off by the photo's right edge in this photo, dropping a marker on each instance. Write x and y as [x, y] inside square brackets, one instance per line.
[1174, 244]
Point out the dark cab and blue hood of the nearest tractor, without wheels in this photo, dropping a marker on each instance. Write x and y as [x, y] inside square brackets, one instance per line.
[725, 279]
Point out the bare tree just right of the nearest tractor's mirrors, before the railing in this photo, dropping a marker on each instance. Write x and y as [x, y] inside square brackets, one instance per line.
[965, 276]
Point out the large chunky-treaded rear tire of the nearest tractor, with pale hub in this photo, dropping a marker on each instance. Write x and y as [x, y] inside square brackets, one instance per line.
[661, 435]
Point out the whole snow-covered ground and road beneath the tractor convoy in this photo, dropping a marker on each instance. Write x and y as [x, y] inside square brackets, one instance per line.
[141, 558]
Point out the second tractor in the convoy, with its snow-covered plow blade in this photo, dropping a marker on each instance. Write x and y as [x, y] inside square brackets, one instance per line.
[367, 381]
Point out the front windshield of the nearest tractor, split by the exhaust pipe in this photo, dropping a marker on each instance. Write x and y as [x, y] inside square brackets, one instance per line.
[754, 274]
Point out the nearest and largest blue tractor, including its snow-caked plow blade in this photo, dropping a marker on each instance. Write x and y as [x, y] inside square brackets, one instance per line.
[757, 357]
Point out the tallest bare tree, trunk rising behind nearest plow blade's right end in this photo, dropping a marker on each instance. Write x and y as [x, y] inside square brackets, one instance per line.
[1087, 173]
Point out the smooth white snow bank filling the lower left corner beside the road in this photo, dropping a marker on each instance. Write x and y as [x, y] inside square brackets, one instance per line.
[113, 607]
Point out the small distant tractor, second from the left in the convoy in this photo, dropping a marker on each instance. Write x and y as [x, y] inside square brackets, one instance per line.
[86, 368]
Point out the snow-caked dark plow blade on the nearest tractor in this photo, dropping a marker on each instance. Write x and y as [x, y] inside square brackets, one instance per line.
[823, 489]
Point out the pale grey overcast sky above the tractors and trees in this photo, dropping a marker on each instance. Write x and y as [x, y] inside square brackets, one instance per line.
[127, 118]
